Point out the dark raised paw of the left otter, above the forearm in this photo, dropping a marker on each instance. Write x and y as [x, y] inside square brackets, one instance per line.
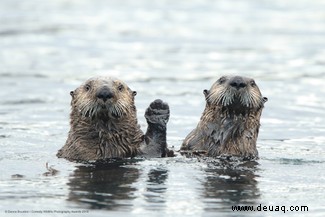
[157, 113]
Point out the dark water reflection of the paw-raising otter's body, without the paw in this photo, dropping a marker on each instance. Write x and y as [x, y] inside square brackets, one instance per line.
[103, 186]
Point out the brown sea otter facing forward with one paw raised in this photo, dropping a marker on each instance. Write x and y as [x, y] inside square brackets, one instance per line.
[104, 125]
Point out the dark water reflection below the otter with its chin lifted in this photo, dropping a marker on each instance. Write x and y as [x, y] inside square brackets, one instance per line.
[230, 185]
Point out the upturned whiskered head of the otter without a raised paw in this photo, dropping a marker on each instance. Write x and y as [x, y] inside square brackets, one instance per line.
[235, 93]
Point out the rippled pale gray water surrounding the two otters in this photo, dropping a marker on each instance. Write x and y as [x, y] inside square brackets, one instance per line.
[170, 50]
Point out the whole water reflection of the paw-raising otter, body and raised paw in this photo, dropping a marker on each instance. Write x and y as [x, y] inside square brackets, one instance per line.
[110, 186]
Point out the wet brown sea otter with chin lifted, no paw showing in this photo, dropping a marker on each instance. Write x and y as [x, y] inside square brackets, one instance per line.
[230, 123]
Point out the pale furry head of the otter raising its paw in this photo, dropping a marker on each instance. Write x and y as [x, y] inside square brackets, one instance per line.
[103, 97]
